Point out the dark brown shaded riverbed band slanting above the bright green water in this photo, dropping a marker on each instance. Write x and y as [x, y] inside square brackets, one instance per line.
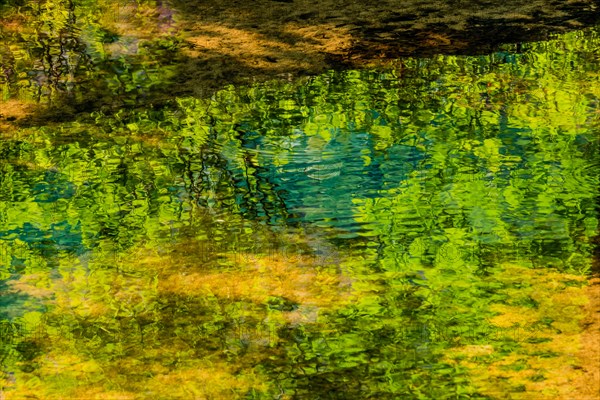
[210, 45]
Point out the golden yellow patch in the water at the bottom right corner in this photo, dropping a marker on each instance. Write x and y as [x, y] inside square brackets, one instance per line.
[547, 361]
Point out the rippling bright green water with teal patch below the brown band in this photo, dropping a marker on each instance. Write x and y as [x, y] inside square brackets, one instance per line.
[421, 231]
